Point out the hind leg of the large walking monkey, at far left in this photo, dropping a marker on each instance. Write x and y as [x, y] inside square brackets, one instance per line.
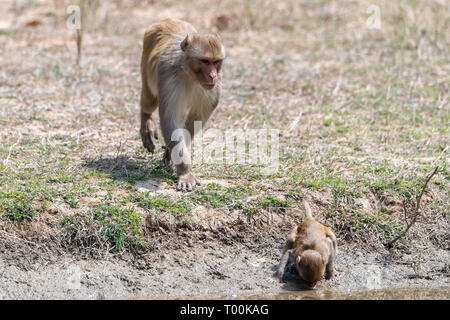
[149, 128]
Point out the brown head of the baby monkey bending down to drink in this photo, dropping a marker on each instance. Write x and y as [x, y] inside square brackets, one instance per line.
[311, 267]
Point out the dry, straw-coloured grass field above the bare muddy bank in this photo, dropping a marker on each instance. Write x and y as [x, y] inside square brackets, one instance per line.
[363, 113]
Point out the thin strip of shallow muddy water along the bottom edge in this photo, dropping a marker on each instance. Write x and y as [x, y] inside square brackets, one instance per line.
[440, 293]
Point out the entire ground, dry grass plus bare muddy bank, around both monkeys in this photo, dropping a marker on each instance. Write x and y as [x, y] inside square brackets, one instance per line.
[362, 111]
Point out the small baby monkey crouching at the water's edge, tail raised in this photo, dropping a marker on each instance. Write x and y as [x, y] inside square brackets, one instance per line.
[313, 247]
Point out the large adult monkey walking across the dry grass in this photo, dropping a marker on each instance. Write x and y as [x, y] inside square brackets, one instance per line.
[181, 74]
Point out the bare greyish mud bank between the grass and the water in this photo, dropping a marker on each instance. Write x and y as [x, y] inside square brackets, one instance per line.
[209, 270]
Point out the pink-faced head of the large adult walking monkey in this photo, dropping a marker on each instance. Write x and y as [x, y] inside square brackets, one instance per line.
[204, 55]
